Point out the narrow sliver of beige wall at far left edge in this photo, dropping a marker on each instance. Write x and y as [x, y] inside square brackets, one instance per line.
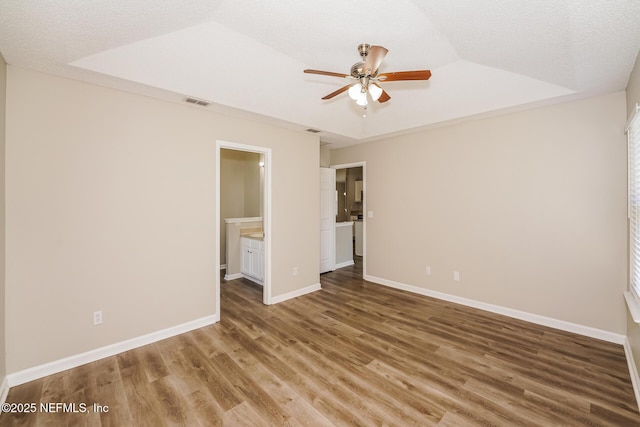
[3, 98]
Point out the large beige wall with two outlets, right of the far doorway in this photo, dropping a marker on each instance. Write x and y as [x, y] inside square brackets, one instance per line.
[529, 207]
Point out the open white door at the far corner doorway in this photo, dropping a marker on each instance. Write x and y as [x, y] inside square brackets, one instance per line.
[327, 219]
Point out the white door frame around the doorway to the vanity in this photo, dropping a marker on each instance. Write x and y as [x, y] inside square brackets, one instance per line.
[266, 216]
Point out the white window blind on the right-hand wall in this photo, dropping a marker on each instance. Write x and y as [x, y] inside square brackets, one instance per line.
[633, 135]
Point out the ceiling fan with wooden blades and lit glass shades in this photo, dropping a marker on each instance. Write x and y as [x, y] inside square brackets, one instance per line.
[366, 75]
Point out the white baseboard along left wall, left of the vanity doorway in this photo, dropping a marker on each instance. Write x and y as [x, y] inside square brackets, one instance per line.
[56, 366]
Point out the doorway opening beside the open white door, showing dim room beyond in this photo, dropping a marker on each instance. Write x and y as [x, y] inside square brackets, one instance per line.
[351, 184]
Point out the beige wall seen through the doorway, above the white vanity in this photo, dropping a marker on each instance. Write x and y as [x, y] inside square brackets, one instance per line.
[240, 183]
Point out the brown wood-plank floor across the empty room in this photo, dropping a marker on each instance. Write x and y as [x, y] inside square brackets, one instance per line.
[354, 353]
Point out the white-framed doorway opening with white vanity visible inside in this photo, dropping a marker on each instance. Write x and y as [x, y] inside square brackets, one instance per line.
[243, 187]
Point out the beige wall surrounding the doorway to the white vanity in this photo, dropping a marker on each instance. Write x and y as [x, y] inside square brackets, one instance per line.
[111, 206]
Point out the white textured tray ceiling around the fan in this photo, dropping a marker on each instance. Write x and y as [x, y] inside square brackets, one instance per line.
[247, 57]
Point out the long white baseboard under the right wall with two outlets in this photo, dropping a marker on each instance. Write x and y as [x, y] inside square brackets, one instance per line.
[517, 314]
